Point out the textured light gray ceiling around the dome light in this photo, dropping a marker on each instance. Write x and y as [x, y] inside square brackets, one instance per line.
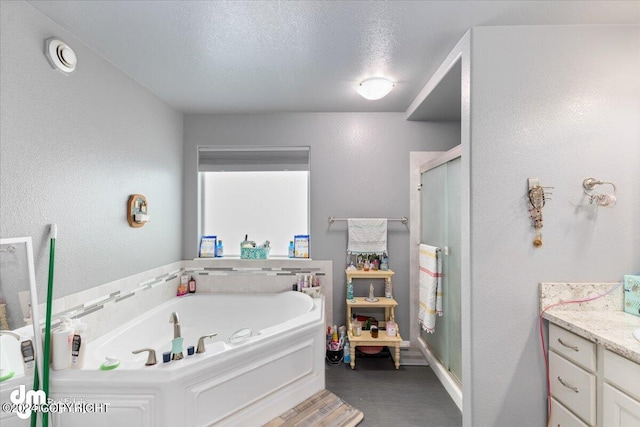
[268, 56]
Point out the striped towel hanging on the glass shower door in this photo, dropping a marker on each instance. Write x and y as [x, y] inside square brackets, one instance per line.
[430, 287]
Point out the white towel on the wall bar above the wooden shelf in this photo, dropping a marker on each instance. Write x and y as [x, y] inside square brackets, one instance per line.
[367, 236]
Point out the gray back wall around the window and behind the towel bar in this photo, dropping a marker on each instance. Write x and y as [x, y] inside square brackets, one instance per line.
[359, 168]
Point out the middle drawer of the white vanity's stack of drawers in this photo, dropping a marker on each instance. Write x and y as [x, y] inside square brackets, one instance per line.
[574, 387]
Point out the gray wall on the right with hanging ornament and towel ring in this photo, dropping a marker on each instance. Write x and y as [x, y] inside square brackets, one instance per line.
[560, 104]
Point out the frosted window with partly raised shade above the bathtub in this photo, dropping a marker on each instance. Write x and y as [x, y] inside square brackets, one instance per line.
[255, 191]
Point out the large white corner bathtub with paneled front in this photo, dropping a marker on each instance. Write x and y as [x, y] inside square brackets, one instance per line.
[246, 383]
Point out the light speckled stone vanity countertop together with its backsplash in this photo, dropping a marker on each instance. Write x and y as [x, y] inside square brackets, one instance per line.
[602, 321]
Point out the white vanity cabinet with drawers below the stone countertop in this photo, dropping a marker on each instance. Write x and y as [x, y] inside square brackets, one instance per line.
[591, 386]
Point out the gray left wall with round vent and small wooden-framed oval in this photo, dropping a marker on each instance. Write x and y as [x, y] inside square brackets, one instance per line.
[73, 148]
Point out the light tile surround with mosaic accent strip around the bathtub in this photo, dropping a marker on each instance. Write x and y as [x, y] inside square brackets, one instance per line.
[107, 306]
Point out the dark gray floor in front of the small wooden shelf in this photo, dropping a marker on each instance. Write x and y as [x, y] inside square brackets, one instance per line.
[409, 396]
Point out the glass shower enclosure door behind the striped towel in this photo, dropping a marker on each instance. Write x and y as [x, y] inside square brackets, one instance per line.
[440, 203]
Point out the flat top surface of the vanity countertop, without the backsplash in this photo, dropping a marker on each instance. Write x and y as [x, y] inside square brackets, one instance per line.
[612, 329]
